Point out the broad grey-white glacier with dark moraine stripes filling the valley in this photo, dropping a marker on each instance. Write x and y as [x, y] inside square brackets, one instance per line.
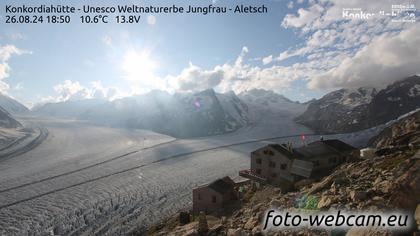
[88, 179]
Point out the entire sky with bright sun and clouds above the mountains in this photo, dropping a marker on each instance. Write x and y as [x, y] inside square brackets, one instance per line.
[300, 48]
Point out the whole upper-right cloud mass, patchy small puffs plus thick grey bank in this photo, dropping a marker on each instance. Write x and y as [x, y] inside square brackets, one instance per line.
[340, 52]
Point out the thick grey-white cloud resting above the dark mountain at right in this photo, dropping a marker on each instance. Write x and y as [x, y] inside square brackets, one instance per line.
[386, 59]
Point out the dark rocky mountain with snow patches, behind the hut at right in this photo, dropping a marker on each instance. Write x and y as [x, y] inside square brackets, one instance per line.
[348, 110]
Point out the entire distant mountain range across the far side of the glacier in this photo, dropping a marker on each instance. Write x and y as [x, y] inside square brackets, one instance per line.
[210, 113]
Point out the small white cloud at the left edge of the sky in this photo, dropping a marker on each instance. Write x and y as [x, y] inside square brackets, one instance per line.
[6, 53]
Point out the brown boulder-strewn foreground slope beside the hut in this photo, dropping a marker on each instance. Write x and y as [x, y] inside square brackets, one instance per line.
[388, 181]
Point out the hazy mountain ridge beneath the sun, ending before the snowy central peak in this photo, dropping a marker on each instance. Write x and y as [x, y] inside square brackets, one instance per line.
[179, 115]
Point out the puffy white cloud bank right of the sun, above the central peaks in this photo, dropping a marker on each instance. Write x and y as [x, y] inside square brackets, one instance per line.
[238, 76]
